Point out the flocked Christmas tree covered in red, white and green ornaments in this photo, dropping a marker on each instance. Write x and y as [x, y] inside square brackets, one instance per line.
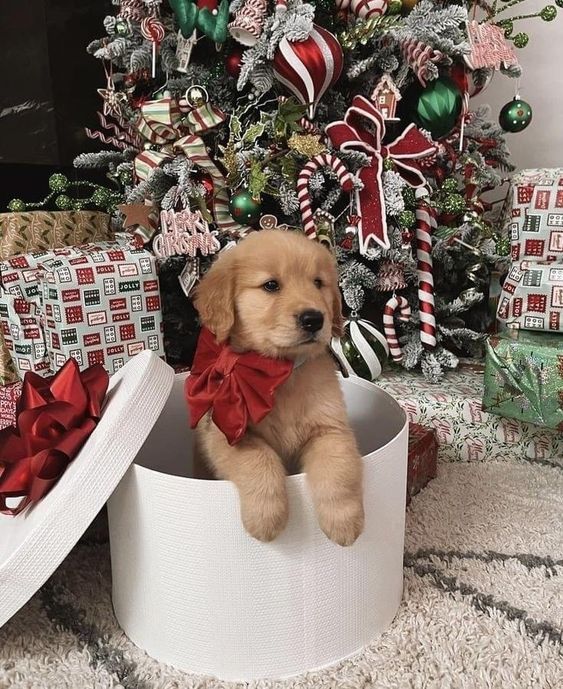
[349, 120]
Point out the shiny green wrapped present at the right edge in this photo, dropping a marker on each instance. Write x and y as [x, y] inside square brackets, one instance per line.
[524, 377]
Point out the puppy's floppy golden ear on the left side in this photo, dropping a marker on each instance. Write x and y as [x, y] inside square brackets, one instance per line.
[215, 297]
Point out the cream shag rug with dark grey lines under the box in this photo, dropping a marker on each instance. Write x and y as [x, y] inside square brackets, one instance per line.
[483, 602]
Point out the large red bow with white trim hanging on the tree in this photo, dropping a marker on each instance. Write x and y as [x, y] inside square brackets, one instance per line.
[350, 135]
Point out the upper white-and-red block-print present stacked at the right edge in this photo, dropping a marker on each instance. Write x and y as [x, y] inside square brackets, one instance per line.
[533, 215]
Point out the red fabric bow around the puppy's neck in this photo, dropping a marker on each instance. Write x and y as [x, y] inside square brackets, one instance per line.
[238, 387]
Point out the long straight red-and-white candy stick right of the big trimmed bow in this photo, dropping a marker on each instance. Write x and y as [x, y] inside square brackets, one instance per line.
[425, 223]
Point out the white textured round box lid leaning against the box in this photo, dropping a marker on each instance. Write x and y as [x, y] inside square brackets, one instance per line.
[34, 543]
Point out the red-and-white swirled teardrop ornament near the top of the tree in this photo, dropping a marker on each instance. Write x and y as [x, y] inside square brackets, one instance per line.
[308, 68]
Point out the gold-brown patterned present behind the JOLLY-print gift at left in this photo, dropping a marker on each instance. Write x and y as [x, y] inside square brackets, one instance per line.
[22, 233]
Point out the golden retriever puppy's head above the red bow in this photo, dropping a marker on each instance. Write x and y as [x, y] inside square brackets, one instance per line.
[276, 293]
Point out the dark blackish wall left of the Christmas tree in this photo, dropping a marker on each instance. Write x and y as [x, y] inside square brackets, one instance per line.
[47, 89]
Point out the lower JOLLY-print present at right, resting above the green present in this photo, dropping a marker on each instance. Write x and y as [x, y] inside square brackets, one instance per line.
[532, 297]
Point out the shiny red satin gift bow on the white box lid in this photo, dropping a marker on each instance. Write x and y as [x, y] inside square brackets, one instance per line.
[54, 417]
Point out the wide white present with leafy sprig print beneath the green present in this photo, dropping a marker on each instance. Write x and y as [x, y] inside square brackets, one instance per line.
[464, 430]
